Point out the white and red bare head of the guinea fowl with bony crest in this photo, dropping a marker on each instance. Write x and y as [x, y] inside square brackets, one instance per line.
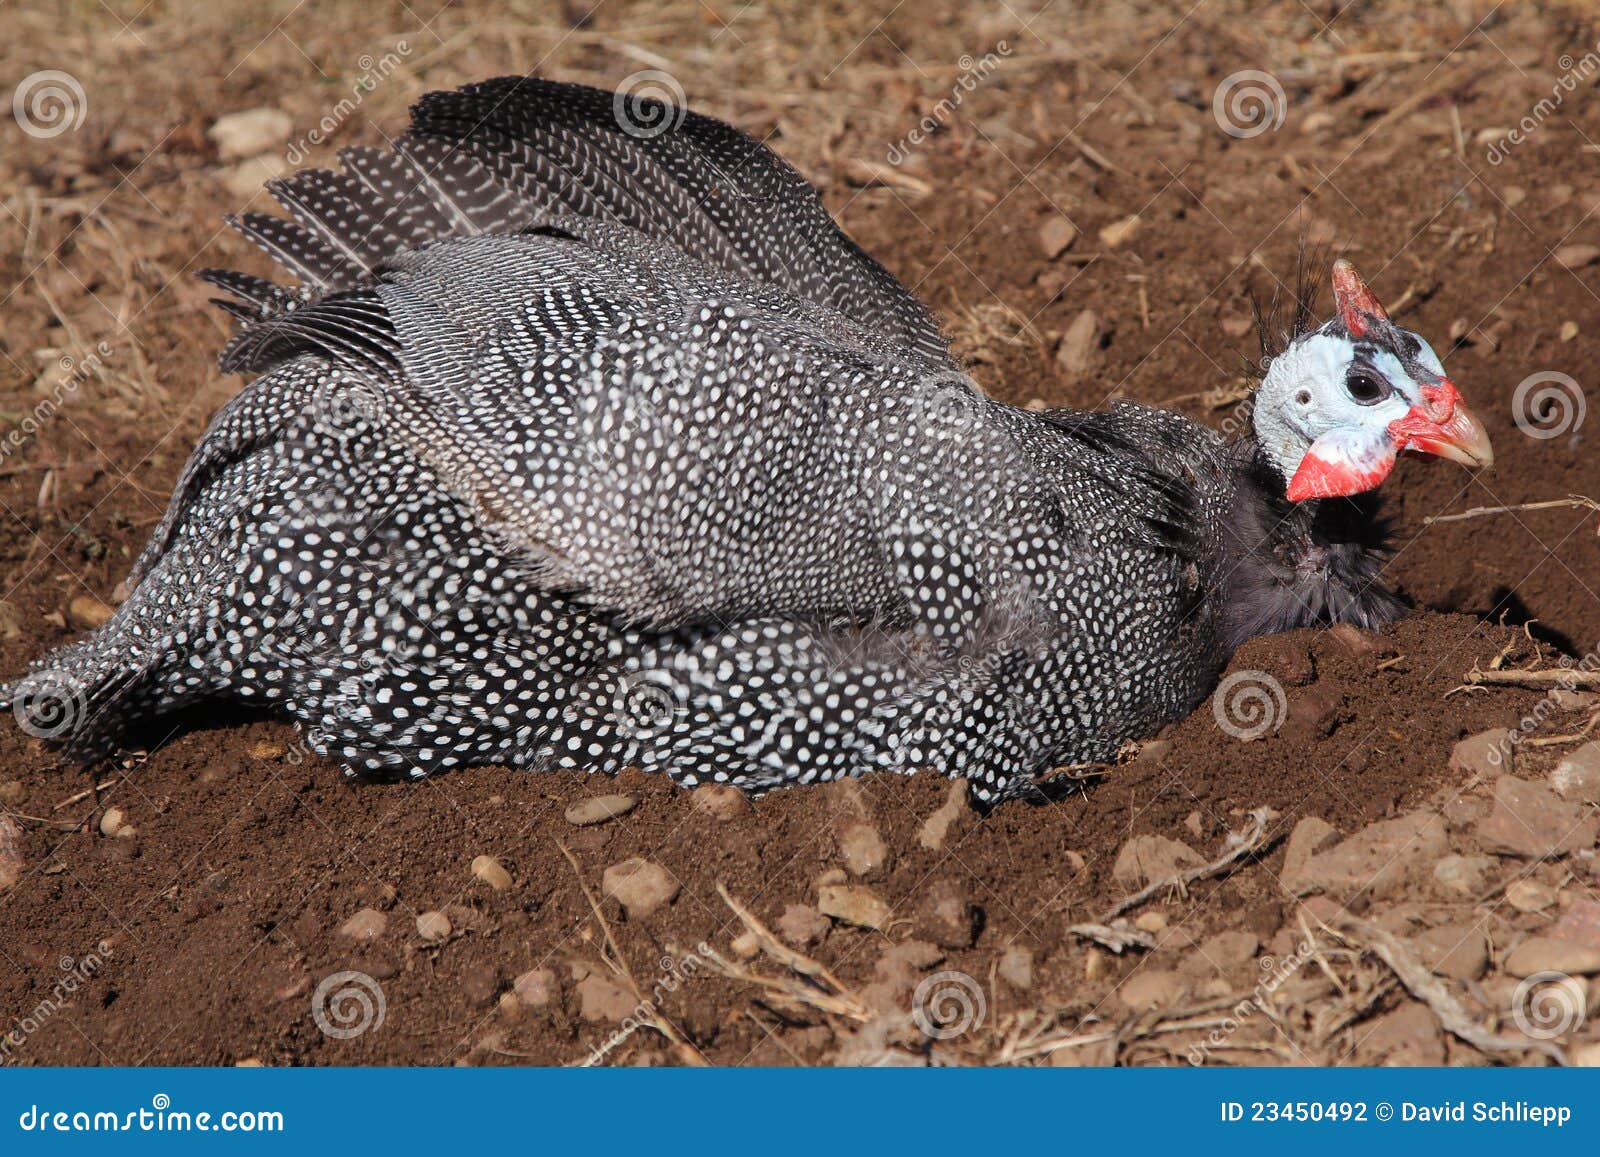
[1342, 402]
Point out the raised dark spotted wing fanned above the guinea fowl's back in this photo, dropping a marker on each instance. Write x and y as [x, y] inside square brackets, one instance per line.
[518, 153]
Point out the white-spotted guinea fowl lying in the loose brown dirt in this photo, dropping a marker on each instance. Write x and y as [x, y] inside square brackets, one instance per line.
[590, 441]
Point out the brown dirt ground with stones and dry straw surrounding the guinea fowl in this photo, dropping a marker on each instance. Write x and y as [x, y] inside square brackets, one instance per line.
[1401, 900]
